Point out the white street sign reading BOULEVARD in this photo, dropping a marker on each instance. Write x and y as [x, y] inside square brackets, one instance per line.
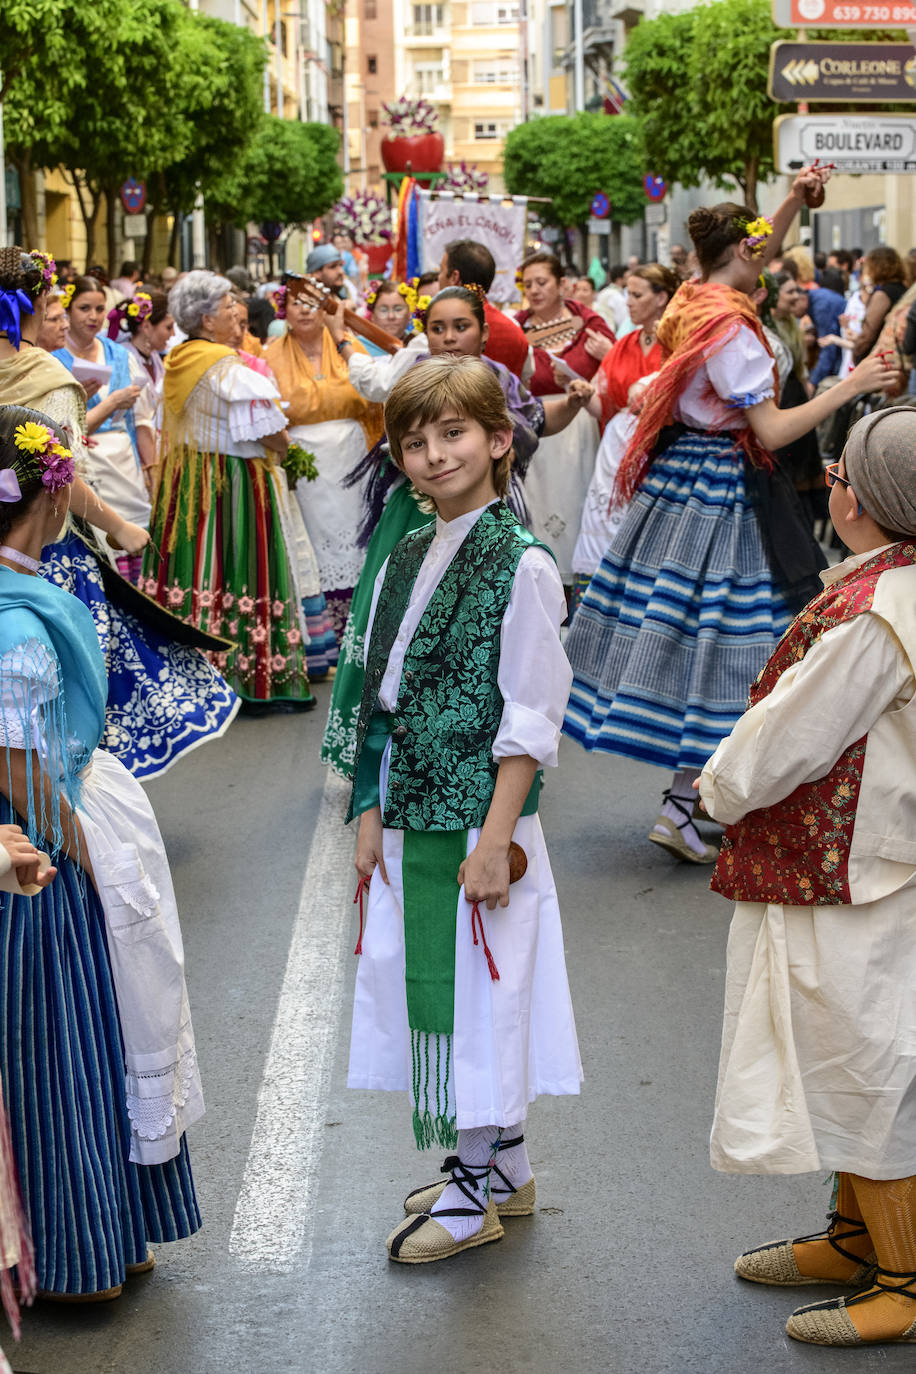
[852, 142]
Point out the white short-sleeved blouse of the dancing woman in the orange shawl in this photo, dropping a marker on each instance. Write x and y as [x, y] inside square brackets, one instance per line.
[740, 376]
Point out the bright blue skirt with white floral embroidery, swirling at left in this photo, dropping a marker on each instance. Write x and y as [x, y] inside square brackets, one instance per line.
[164, 699]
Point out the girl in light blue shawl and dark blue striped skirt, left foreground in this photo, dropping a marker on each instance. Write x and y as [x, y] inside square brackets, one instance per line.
[97, 1048]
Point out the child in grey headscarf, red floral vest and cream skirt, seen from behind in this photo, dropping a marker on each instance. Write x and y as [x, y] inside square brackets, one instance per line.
[818, 788]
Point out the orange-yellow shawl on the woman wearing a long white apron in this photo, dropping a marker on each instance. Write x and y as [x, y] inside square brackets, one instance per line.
[332, 399]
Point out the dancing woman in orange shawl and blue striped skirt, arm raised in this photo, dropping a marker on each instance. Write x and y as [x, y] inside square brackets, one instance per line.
[713, 557]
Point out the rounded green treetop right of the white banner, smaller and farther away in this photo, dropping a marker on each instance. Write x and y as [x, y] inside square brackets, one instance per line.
[569, 159]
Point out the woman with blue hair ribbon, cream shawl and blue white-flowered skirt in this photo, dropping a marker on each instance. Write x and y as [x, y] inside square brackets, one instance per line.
[164, 697]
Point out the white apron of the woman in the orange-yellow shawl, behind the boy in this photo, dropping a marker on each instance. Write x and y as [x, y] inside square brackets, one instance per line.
[332, 512]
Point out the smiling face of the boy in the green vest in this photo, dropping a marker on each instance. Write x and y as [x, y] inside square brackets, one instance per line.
[451, 460]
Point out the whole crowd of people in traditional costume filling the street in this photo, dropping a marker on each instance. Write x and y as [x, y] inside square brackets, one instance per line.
[215, 494]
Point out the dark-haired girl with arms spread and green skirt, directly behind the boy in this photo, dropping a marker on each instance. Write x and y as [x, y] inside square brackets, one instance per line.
[457, 328]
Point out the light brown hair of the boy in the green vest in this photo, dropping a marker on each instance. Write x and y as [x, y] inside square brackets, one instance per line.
[463, 385]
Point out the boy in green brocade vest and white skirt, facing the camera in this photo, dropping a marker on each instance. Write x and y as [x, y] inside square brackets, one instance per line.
[462, 994]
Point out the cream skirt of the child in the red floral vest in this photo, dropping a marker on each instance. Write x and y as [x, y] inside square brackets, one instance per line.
[819, 1046]
